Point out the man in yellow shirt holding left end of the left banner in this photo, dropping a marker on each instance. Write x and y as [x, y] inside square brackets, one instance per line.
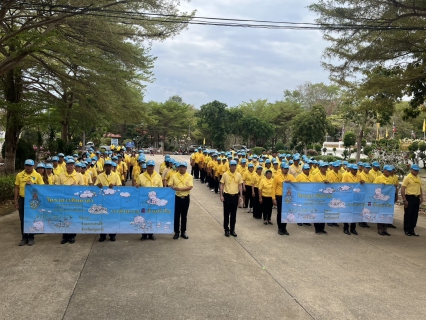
[26, 177]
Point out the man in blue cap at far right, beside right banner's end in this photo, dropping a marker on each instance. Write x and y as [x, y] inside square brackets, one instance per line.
[412, 197]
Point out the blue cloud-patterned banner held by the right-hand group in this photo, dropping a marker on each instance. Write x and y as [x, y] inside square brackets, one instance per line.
[337, 202]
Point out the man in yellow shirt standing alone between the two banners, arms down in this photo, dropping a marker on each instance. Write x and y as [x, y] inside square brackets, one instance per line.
[231, 191]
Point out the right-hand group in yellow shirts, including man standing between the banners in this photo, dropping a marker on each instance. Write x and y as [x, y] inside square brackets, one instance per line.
[256, 183]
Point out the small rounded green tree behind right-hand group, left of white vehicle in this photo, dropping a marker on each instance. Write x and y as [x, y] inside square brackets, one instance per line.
[310, 127]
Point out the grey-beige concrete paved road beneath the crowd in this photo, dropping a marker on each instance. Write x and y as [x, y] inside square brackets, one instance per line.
[257, 275]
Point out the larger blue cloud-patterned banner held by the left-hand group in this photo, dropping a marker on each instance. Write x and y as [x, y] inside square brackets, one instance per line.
[81, 209]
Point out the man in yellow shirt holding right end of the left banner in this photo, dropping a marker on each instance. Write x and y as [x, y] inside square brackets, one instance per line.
[182, 183]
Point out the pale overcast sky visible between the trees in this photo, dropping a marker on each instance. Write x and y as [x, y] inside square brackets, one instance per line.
[232, 65]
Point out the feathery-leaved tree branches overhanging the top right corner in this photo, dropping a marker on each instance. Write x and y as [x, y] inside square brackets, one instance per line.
[375, 35]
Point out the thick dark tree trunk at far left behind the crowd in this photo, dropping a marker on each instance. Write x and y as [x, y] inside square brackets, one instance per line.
[14, 123]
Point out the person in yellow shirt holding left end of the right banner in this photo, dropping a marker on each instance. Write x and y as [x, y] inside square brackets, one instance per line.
[277, 195]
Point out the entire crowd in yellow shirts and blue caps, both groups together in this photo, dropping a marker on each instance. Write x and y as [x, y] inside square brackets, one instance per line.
[240, 178]
